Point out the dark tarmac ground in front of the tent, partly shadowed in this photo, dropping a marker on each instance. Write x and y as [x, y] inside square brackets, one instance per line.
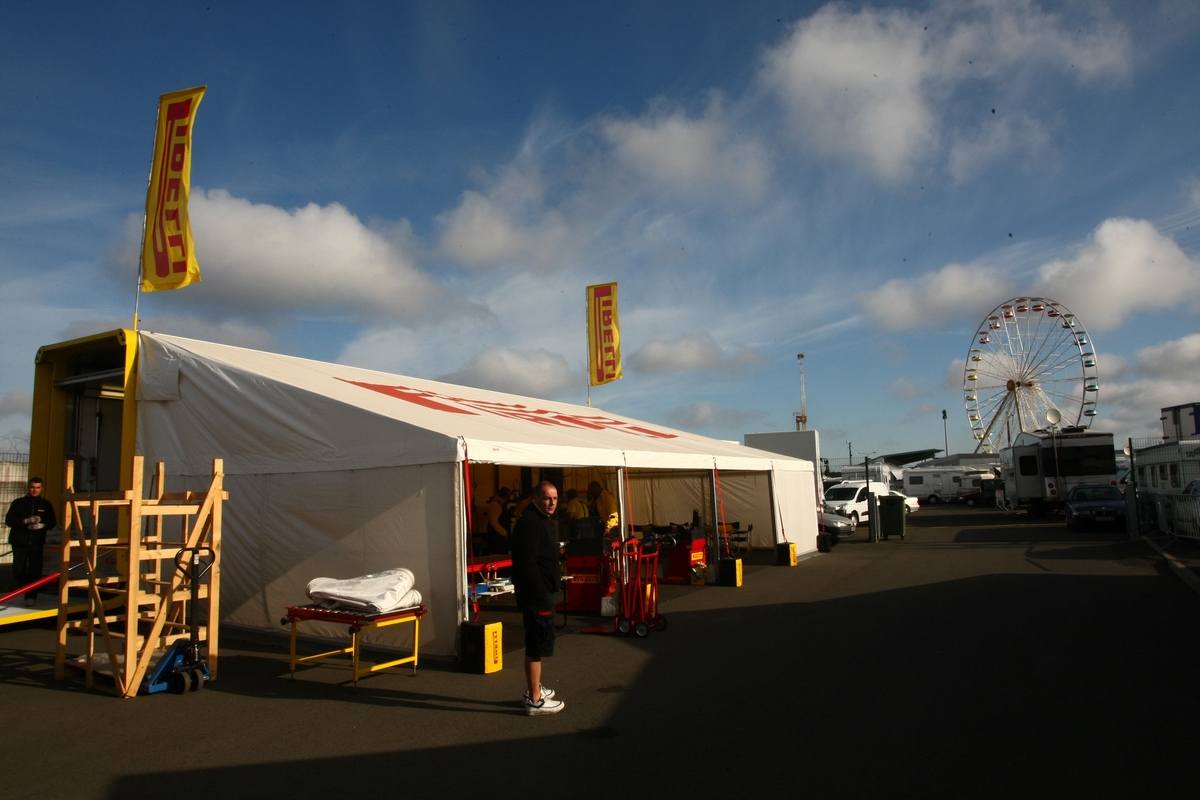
[982, 657]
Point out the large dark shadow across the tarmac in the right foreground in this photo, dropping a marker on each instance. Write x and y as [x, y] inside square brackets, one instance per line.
[994, 687]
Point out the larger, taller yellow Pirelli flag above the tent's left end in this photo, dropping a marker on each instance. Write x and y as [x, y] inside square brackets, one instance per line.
[169, 260]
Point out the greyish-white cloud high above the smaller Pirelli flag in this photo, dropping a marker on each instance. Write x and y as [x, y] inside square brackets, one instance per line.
[692, 157]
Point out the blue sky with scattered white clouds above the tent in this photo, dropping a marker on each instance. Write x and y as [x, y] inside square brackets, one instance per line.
[428, 189]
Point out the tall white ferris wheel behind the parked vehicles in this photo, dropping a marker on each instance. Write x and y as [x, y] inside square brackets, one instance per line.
[1030, 357]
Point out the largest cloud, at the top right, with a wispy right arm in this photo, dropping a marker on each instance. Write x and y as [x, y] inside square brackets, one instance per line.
[875, 85]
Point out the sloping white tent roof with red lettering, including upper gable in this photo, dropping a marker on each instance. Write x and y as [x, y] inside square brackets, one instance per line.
[278, 413]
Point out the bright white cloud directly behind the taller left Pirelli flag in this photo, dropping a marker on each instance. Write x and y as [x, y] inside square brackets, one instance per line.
[256, 257]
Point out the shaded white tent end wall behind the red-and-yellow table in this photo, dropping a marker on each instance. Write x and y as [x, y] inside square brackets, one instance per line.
[283, 531]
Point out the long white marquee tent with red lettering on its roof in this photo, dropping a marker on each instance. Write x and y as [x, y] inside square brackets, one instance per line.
[339, 472]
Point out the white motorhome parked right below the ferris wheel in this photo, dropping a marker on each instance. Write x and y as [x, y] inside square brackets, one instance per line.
[1043, 467]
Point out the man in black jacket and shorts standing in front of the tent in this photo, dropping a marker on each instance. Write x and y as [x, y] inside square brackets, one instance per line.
[536, 578]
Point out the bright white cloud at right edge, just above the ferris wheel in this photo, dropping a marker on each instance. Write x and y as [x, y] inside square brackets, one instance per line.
[1126, 267]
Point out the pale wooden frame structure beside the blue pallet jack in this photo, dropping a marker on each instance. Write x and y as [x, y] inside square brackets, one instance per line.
[140, 610]
